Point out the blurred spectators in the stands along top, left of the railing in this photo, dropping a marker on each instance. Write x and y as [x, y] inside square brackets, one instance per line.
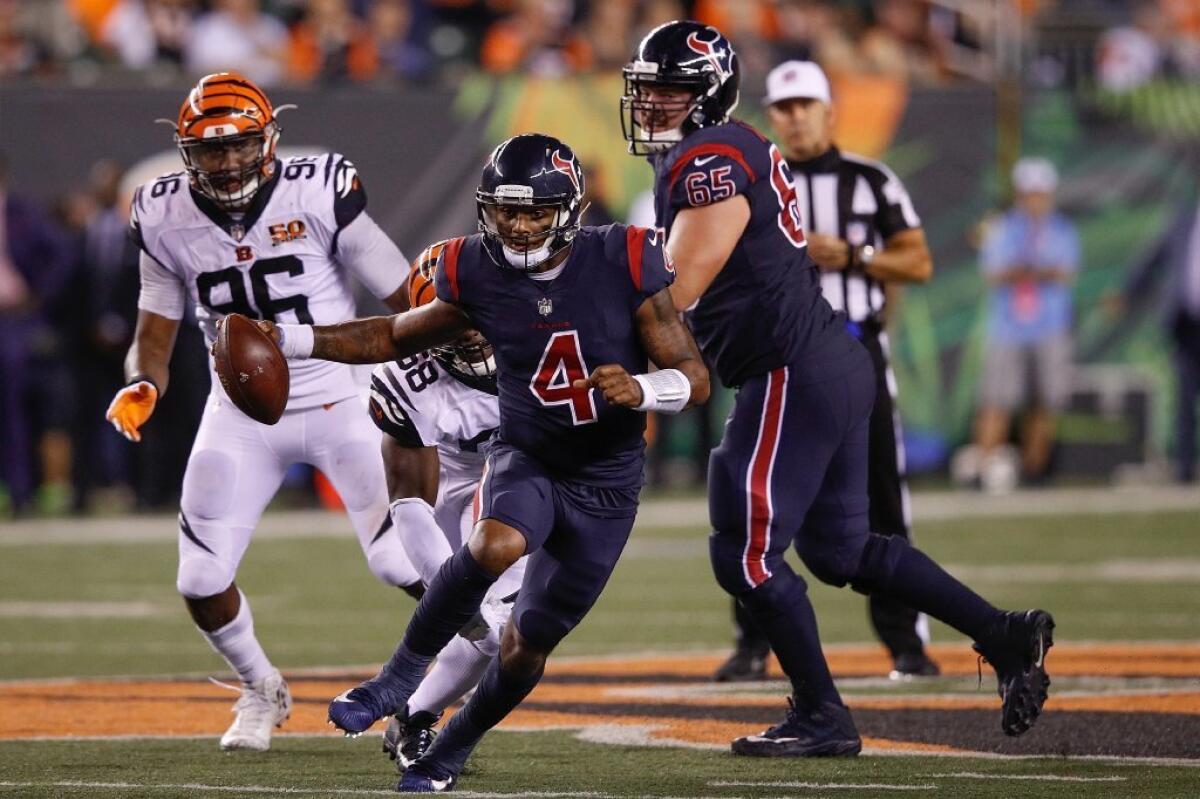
[335, 41]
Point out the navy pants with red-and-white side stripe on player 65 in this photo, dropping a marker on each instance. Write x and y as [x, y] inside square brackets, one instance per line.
[793, 468]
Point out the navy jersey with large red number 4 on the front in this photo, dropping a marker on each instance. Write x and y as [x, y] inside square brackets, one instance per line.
[548, 334]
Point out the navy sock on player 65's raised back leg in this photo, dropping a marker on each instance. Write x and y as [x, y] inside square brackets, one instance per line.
[921, 584]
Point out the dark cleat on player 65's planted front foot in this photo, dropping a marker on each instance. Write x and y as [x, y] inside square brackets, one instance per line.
[825, 731]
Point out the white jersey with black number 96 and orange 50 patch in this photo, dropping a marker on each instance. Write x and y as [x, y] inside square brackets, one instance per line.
[278, 261]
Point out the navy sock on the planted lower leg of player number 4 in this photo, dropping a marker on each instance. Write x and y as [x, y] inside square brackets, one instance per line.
[495, 699]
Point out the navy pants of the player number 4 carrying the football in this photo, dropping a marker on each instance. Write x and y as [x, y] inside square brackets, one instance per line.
[574, 534]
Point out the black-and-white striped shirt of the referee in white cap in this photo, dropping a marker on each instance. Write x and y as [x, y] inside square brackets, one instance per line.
[862, 202]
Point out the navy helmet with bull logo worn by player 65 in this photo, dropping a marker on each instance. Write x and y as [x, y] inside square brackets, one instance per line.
[681, 55]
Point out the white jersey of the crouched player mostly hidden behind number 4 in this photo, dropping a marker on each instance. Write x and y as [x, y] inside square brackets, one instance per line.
[419, 402]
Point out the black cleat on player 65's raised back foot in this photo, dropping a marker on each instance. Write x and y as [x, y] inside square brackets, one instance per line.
[1018, 653]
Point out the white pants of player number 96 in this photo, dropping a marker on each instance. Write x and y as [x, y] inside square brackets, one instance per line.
[237, 466]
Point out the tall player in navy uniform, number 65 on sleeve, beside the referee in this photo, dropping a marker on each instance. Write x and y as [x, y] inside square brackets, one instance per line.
[791, 468]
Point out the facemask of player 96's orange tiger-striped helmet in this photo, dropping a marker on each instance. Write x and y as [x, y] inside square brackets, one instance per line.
[230, 170]
